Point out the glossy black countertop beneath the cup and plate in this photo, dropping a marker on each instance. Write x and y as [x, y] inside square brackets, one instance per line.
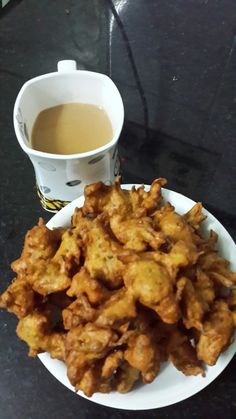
[174, 63]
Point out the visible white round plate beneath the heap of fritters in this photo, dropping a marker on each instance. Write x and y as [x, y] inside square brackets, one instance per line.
[170, 386]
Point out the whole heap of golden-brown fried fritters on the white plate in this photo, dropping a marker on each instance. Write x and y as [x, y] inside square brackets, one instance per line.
[129, 285]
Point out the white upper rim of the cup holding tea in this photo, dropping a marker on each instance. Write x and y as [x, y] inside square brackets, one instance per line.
[42, 154]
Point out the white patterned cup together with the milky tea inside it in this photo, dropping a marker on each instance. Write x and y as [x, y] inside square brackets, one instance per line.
[69, 123]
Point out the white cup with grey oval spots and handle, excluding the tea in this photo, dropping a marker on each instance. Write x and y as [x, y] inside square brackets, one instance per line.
[61, 178]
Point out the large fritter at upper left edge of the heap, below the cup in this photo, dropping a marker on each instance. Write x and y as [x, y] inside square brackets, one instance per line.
[47, 259]
